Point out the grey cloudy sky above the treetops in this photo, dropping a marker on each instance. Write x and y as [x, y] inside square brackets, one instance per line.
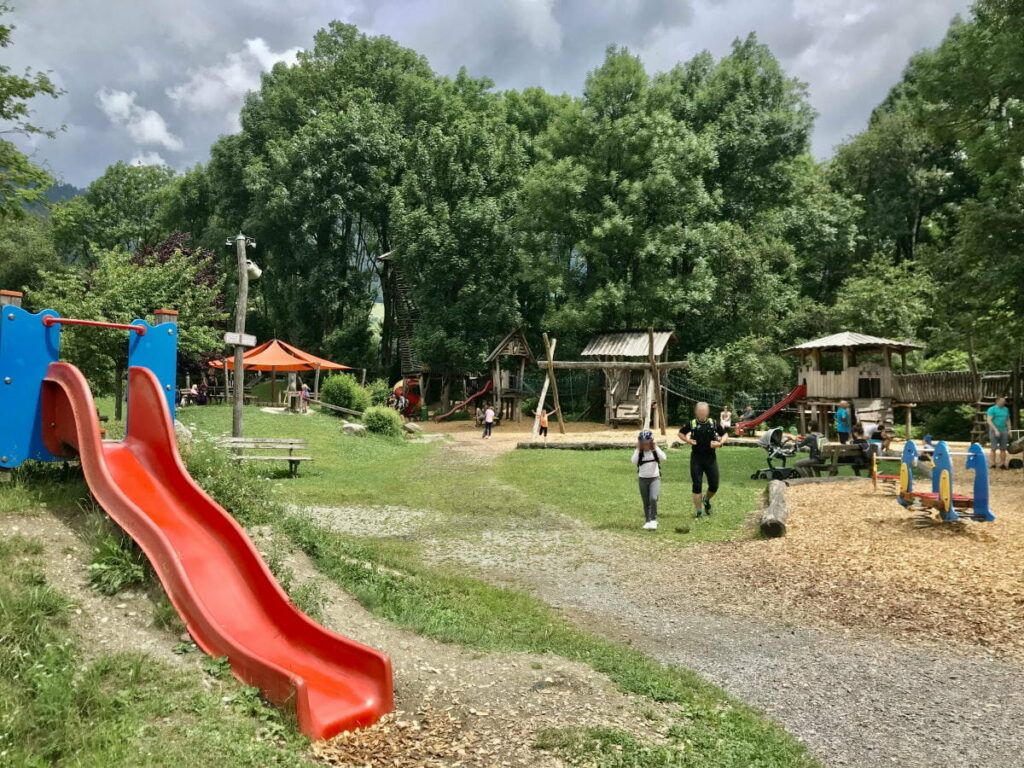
[159, 81]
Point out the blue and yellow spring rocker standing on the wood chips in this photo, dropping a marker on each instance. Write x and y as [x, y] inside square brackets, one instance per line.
[952, 507]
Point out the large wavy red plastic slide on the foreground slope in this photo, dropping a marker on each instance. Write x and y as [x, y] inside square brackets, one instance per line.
[215, 577]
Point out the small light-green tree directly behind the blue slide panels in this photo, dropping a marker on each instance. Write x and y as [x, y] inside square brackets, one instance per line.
[119, 288]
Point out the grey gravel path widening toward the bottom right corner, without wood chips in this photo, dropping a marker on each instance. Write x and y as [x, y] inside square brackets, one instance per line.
[858, 699]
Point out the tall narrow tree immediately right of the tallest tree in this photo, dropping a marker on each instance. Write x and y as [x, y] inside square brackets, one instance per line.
[453, 218]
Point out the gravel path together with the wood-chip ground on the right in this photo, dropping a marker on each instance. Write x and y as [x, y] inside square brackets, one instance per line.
[857, 676]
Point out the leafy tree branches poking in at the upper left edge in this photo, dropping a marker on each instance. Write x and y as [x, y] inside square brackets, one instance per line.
[22, 183]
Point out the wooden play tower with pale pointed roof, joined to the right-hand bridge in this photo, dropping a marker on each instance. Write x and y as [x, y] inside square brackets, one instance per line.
[850, 367]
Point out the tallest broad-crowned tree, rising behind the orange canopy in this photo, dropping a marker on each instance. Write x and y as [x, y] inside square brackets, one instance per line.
[313, 177]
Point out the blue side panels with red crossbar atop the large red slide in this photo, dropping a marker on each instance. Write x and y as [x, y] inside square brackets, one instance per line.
[29, 344]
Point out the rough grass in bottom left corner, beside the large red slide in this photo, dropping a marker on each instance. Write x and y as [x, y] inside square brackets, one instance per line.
[61, 708]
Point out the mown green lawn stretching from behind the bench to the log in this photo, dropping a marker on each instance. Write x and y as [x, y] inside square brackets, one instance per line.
[598, 487]
